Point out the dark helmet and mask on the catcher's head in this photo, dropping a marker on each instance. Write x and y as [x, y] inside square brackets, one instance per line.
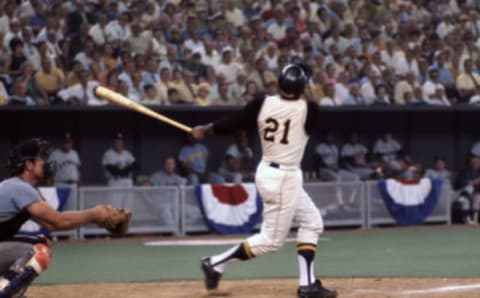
[30, 150]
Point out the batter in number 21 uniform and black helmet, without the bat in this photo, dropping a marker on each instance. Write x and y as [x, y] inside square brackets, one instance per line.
[284, 123]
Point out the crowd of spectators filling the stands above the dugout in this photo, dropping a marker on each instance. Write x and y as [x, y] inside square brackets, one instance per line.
[204, 52]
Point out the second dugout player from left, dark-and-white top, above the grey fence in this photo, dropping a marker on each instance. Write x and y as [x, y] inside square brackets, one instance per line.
[118, 164]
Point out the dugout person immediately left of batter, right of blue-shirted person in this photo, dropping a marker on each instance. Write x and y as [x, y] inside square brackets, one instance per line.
[238, 164]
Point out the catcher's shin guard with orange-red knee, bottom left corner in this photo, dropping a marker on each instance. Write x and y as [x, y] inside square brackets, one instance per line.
[18, 279]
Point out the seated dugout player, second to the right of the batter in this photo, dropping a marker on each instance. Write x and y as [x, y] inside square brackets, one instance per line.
[354, 157]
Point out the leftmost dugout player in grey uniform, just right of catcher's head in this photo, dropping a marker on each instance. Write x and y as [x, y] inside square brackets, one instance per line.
[66, 163]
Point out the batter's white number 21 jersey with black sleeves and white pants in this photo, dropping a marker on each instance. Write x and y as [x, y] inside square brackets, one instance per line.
[284, 127]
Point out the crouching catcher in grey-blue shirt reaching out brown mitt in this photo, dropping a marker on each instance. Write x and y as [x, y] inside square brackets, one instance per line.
[22, 259]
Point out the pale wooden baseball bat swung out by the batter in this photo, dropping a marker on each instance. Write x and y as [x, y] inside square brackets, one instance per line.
[130, 104]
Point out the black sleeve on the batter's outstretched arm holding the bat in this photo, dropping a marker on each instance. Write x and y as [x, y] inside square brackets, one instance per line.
[243, 119]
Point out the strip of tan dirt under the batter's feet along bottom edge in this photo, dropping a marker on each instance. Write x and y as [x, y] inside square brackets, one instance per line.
[357, 287]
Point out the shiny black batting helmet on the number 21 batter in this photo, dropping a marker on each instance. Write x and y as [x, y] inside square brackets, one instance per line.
[292, 80]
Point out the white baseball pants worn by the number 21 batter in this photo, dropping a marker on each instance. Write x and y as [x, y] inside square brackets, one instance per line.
[284, 200]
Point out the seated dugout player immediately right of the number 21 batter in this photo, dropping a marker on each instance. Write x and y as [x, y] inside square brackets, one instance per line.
[326, 159]
